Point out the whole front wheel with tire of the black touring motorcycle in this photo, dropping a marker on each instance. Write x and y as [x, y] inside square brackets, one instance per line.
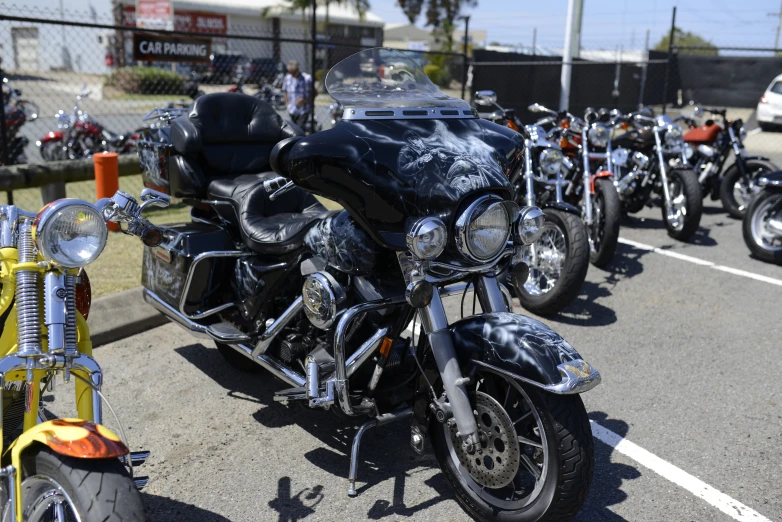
[535, 459]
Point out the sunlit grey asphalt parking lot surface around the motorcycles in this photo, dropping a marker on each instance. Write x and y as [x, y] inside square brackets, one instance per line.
[689, 358]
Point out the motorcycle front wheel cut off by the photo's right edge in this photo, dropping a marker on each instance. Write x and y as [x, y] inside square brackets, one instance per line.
[762, 226]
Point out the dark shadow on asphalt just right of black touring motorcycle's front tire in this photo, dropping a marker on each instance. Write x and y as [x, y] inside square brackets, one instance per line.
[608, 478]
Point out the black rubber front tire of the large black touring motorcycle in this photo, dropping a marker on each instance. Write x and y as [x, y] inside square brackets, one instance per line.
[568, 465]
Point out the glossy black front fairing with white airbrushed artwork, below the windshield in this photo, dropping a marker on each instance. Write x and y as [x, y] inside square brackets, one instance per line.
[387, 171]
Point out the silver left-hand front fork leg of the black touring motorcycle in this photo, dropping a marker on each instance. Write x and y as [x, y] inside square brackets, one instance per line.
[435, 324]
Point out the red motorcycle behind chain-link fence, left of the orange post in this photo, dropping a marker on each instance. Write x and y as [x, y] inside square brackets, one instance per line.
[80, 136]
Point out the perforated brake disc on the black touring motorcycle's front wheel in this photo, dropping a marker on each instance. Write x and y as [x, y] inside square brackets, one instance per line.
[496, 461]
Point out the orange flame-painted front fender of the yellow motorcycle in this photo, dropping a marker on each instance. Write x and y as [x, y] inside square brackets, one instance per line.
[71, 437]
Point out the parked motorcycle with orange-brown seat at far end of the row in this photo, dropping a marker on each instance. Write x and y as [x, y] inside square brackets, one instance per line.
[707, 148]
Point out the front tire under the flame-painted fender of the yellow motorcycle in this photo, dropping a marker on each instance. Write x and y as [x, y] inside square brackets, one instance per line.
[97, 490]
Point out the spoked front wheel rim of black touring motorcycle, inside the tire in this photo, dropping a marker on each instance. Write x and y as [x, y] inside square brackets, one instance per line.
[532, 469]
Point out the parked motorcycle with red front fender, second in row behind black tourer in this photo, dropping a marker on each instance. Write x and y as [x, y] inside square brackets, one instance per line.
[589, 183]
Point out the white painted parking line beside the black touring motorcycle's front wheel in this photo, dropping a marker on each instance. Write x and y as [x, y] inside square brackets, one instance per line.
[668, 471]
